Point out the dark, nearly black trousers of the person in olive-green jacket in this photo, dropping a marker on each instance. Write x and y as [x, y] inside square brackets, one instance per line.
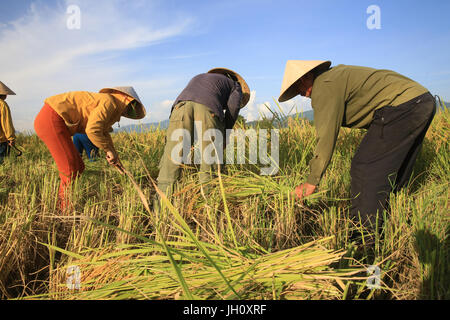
[385, 158]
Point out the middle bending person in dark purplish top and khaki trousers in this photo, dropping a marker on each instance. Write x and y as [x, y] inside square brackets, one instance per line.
[212, 99]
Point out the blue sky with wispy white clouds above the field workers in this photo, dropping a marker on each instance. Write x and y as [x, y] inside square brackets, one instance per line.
[158, 46]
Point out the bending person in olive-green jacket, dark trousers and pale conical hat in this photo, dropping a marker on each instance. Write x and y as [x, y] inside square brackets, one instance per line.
[395, 110]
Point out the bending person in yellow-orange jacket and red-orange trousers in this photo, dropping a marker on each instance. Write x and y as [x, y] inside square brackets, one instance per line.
[92, 113]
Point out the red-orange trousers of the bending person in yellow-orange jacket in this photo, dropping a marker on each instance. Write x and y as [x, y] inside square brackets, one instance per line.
[52, 130]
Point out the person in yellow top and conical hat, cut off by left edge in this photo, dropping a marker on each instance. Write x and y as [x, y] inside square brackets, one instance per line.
[7, 132]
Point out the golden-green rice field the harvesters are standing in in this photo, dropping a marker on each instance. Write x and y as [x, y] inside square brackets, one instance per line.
[245, 239]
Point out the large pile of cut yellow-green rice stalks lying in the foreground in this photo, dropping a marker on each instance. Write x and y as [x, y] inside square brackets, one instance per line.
[184, 272]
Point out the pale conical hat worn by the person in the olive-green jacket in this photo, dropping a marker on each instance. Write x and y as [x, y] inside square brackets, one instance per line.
[295, 69]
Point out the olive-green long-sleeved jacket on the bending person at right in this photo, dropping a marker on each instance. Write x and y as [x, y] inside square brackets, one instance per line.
[348, 96]
